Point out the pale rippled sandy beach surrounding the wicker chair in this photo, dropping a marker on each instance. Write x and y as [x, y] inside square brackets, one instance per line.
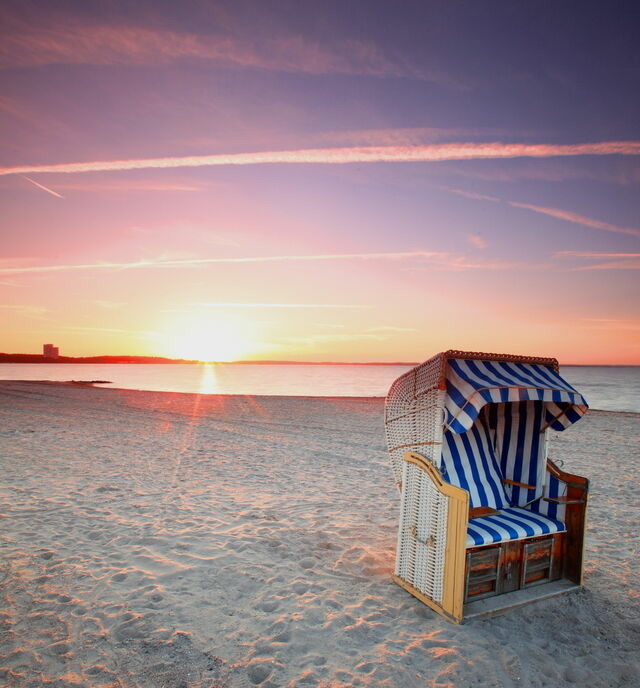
[153, 539]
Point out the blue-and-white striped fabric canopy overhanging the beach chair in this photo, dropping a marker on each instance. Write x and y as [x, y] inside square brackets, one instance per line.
[473, 383]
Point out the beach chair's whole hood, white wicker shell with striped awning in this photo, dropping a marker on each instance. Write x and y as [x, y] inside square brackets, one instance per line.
[446, 394]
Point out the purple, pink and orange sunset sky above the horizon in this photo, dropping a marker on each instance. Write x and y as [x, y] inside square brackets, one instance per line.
[320, 181]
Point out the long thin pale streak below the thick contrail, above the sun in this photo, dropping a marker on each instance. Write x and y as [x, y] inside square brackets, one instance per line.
[431, 259]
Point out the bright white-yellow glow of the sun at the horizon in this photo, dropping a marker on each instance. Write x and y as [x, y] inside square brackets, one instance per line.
[202, 338]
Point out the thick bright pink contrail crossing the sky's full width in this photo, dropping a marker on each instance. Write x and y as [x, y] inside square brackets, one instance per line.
[339, 156]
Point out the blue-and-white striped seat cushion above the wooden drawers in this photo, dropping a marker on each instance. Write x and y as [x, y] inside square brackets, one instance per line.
[510, 524]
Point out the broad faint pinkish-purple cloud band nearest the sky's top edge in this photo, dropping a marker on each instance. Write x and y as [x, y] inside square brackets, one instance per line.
[74, 42]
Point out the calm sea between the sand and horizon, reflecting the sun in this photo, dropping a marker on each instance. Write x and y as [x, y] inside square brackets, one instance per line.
[610, 388]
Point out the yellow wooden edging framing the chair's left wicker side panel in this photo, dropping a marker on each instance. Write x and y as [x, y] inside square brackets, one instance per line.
[456, 544]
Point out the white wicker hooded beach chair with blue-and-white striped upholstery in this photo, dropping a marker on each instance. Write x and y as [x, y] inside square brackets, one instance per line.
[487, 520]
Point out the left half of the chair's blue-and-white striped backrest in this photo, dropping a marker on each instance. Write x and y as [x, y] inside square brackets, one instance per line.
[469, 461]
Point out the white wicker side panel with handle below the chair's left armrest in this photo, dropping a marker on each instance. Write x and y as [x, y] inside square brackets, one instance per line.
[422, 533]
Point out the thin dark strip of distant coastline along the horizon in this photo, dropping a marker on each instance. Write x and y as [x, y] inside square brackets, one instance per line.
[39, 358]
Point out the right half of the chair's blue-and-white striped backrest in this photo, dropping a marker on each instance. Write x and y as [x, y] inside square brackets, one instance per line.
[519, 446]
